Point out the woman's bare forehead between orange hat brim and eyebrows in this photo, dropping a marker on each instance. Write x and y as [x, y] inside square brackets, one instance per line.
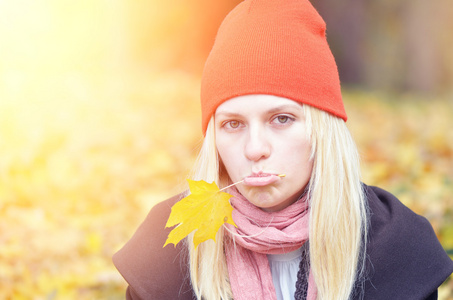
[256, 103]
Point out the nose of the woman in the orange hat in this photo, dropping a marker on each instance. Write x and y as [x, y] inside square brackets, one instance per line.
[257, 145]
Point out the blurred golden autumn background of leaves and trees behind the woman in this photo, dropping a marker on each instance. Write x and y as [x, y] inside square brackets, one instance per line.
[99, 120]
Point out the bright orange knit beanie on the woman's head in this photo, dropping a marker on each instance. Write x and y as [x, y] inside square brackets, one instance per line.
[273, 47]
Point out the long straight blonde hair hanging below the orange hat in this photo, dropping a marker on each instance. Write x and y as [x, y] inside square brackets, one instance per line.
[338, 213]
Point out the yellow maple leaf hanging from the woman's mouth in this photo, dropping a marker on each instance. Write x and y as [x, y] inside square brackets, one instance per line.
[204, 210]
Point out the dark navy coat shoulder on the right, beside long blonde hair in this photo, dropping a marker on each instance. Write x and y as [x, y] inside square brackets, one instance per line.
[404, 258]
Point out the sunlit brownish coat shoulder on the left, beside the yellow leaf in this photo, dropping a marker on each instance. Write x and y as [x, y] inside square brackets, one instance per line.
[152, 271]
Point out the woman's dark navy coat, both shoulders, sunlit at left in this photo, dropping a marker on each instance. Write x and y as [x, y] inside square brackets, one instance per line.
[404, 257]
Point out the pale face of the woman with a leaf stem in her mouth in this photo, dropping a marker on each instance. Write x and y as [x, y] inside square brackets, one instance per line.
[259, 137]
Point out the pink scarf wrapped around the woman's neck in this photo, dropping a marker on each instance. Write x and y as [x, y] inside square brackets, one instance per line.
[260, 233]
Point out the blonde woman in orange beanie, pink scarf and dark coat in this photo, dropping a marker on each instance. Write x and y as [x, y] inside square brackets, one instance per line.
[271, 105]
